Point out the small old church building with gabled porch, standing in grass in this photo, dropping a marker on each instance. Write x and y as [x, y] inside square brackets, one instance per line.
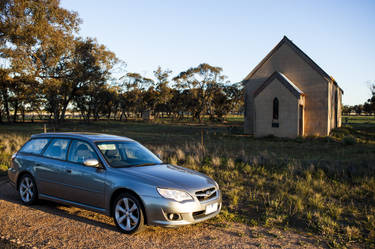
[288, 95]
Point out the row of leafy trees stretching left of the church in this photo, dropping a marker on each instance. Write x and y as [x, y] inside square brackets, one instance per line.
[45, 67]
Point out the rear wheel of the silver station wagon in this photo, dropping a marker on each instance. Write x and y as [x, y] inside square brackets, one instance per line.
[27, 190]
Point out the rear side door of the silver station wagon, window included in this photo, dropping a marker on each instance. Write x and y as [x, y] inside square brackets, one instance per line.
[50, 168]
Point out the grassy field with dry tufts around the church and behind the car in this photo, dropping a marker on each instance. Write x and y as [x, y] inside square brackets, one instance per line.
[322, 185]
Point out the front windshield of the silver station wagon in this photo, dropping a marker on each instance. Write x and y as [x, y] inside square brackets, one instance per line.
[127, 154]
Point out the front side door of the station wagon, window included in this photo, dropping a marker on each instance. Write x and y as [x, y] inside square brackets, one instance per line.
[85, 184]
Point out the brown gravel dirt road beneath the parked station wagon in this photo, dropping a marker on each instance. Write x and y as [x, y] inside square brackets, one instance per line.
[49, 225]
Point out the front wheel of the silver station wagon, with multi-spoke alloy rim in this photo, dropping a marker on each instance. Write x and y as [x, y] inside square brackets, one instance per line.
[128, 213]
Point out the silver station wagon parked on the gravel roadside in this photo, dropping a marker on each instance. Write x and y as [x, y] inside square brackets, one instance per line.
[113, 175]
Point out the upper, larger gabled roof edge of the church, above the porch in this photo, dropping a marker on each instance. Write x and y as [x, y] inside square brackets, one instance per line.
[299, 52]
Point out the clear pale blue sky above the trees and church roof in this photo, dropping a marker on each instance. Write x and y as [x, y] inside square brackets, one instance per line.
[236, 35]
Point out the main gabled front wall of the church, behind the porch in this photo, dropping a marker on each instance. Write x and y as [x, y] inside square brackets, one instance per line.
[314, 86]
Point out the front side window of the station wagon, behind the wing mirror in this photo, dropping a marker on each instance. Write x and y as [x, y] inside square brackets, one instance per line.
[81, 151]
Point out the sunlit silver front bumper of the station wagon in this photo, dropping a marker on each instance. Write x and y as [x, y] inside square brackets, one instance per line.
[158, 210]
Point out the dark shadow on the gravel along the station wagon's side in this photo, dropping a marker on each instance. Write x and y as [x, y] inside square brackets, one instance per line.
[9, 194]
